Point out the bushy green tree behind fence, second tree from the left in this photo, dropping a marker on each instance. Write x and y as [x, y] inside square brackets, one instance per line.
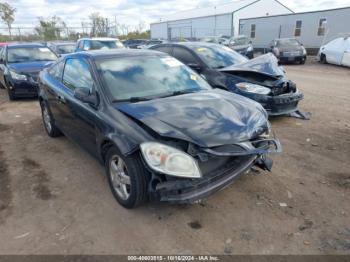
[50, 28]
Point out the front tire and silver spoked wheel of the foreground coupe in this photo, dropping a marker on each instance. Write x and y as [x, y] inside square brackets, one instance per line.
[127, 178]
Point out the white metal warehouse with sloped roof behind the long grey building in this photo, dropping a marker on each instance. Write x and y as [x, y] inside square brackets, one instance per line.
[215, 20]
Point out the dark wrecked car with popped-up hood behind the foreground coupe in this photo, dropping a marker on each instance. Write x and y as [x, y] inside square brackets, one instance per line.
[260, 79]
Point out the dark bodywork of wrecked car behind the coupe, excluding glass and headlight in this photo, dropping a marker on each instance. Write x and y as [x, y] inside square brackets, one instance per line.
[263, 70]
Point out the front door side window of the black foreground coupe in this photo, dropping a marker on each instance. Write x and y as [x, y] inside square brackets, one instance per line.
[77, 74]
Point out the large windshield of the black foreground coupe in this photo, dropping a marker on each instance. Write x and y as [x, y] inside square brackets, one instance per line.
[148, 77]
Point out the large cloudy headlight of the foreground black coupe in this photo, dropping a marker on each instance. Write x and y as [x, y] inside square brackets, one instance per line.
[169, 160]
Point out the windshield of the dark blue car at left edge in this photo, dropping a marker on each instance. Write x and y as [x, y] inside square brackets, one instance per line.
[30, 54]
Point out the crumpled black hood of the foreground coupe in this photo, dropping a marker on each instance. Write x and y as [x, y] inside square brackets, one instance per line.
[207, 118]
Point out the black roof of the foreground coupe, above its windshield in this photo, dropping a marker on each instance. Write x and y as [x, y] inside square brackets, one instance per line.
[101, 54]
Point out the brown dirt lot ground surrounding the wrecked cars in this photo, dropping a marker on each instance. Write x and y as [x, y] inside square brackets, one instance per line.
[54, 197]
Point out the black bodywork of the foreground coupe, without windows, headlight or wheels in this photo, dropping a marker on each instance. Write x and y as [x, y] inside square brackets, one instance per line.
[223, 132]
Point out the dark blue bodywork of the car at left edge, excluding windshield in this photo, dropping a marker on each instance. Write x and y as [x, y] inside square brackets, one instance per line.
[31, 69]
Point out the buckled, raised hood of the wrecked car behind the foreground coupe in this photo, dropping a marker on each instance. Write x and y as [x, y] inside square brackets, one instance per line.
[265, 64]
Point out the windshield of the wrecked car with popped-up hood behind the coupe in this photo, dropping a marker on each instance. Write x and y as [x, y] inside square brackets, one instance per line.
[218, 56]
